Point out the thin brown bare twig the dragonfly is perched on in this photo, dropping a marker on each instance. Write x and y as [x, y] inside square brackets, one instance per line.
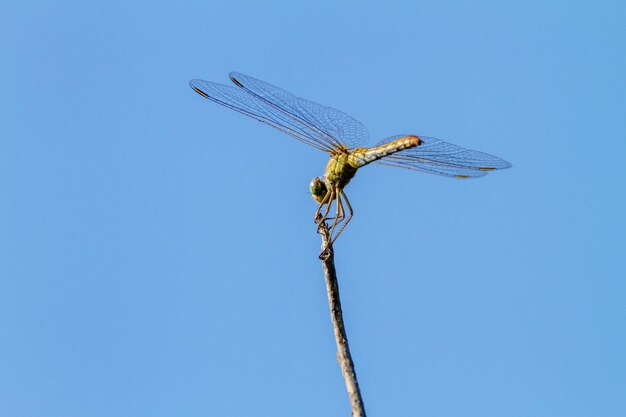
[343, 350]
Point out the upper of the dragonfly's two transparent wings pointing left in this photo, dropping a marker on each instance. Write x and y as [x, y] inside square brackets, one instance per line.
[332, 126]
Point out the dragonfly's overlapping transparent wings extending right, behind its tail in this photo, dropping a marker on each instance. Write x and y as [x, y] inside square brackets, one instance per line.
[435, 156]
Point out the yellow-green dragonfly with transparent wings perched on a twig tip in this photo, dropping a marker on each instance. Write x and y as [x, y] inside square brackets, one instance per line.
[345, 139]
